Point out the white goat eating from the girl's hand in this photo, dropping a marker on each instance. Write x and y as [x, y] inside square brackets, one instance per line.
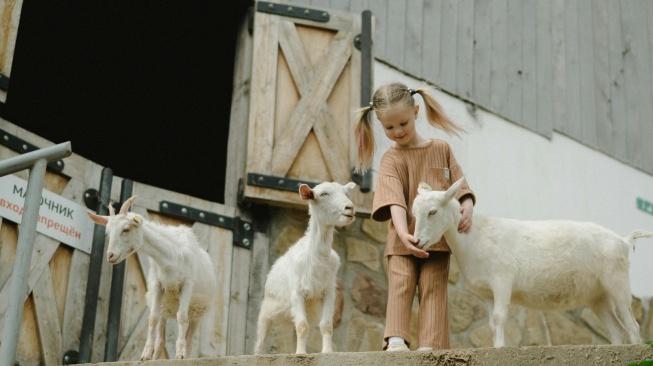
[546, 265]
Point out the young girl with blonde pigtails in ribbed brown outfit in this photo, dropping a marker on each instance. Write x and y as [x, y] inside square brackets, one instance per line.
[412, 159]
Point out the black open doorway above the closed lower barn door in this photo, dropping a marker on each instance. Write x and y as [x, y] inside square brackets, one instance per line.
[142, 87]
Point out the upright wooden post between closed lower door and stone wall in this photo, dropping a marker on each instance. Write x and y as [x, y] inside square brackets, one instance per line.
[259, 267]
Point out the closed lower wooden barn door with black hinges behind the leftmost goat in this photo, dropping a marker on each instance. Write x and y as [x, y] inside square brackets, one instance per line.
[58, 275]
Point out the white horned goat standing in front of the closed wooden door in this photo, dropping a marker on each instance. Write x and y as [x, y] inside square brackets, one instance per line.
[181, 281]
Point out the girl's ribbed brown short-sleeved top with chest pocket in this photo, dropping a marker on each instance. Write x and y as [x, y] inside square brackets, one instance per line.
[401, 171]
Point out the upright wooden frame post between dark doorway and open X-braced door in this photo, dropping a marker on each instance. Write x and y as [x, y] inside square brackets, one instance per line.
[237, 142]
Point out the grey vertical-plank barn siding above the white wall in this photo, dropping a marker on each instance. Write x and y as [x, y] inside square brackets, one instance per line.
[581, 68]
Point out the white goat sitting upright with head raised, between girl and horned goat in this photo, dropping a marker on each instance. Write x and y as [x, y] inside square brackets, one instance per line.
[301, 285]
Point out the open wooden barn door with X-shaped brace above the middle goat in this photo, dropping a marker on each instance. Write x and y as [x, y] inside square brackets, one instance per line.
[306, 83]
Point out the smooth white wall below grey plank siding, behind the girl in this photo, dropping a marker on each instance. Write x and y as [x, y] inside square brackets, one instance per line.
[519, 174]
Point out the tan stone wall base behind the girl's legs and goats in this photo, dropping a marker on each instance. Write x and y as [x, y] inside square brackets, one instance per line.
[362, 300]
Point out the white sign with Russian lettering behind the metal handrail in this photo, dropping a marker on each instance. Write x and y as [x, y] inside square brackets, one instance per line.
[59, 218]
